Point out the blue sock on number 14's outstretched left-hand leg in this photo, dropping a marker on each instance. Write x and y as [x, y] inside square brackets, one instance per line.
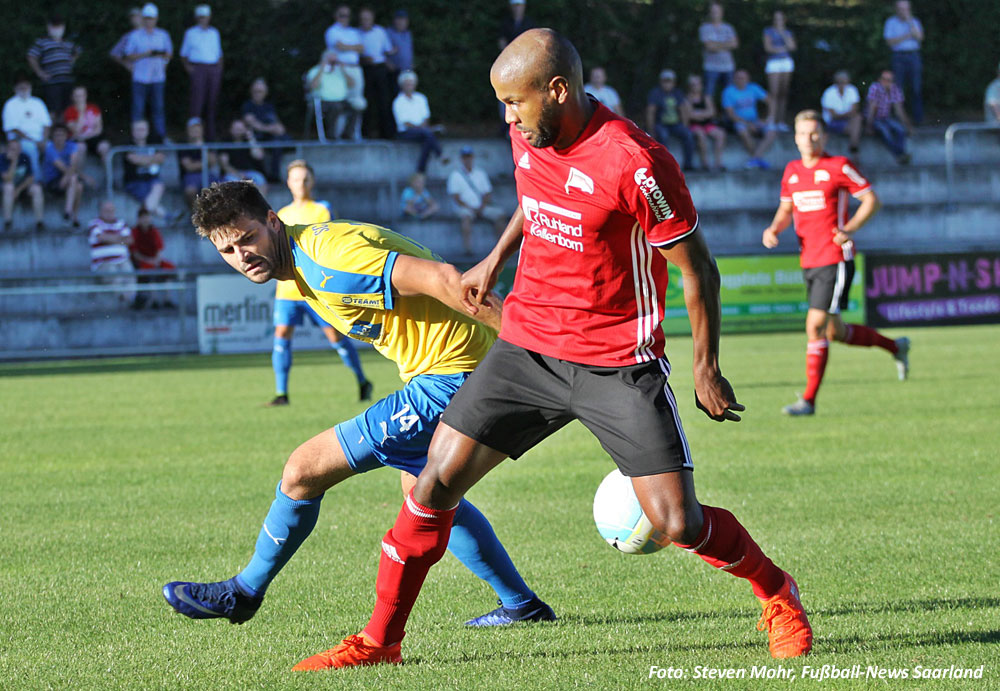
[286, 526]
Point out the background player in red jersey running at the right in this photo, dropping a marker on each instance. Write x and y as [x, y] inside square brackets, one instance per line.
[814, 194]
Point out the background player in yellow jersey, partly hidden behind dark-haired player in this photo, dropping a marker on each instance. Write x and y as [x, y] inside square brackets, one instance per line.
[290, 308]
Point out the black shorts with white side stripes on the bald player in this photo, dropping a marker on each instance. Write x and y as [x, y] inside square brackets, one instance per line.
[516, 398]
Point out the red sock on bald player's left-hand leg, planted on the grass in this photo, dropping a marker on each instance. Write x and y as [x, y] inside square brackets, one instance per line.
[417, 540]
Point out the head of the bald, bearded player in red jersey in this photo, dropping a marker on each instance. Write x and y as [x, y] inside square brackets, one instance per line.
[539, 78]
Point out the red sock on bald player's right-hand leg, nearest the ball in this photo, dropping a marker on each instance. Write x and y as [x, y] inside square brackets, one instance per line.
[725, 544]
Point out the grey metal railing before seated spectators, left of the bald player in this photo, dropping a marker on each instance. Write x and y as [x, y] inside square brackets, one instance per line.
[210, 147]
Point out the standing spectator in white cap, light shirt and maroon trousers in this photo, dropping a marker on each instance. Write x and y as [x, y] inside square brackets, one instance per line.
[201, 54]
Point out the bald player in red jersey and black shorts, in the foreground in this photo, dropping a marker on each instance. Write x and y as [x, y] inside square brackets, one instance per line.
[603, 207]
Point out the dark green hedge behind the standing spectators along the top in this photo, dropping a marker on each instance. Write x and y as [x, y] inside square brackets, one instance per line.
[456, 43]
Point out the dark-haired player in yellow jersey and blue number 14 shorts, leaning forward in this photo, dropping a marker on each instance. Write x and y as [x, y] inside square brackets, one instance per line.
[383, 288]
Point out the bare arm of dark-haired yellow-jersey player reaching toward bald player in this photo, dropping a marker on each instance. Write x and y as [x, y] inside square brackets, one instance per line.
[415, 276]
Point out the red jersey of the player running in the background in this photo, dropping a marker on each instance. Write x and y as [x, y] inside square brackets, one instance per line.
[819, 206]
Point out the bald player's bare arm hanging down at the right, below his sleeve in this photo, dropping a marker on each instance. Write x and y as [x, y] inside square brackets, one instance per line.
[713, 394]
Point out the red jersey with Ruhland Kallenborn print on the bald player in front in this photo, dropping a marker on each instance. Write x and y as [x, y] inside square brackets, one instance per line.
[589, 285]
